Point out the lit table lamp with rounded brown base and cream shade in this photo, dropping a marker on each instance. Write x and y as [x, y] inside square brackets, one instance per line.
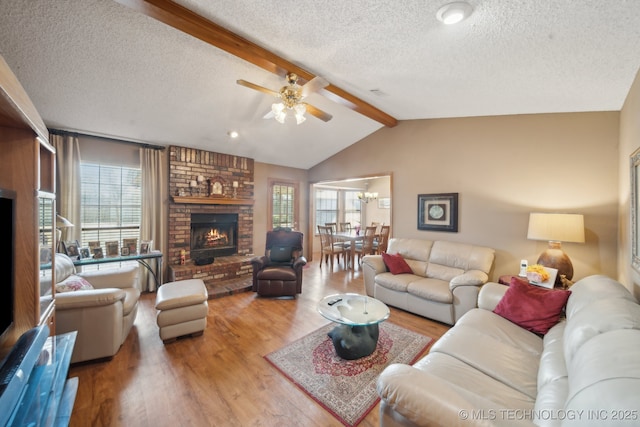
[556, 228]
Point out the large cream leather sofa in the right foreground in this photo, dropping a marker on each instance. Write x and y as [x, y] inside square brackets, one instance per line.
[488, 371]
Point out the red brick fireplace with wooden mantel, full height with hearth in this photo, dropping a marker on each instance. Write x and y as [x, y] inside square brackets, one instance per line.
[234, 207]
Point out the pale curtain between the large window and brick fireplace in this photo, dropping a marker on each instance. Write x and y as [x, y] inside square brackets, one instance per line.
[155, 202]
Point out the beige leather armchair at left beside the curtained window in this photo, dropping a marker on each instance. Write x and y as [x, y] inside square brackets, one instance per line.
[103, 316]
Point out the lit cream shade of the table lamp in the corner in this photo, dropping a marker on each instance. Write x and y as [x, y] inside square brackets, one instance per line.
[556, 227]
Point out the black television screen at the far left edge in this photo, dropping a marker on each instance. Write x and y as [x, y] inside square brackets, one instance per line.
[7, 246]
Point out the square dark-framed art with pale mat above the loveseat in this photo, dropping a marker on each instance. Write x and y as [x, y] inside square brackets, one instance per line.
[438, 212]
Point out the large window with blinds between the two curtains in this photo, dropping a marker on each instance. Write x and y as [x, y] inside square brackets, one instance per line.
[111, 203]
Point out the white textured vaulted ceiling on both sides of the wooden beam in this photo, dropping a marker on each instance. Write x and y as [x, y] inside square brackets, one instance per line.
[98, 67]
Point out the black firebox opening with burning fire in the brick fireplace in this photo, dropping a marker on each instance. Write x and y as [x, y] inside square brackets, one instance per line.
[213, 235]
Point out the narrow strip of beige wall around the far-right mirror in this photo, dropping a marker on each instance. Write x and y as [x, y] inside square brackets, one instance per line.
[629, 142]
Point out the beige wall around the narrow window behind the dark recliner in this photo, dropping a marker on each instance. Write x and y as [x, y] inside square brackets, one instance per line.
[262, 173]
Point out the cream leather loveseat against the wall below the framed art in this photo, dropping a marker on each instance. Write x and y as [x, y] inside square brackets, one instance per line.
[445, 281]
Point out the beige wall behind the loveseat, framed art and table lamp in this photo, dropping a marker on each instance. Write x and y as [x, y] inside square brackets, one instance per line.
[503, 168]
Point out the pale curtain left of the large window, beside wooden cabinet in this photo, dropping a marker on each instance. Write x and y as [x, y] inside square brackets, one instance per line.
[68, 183]
